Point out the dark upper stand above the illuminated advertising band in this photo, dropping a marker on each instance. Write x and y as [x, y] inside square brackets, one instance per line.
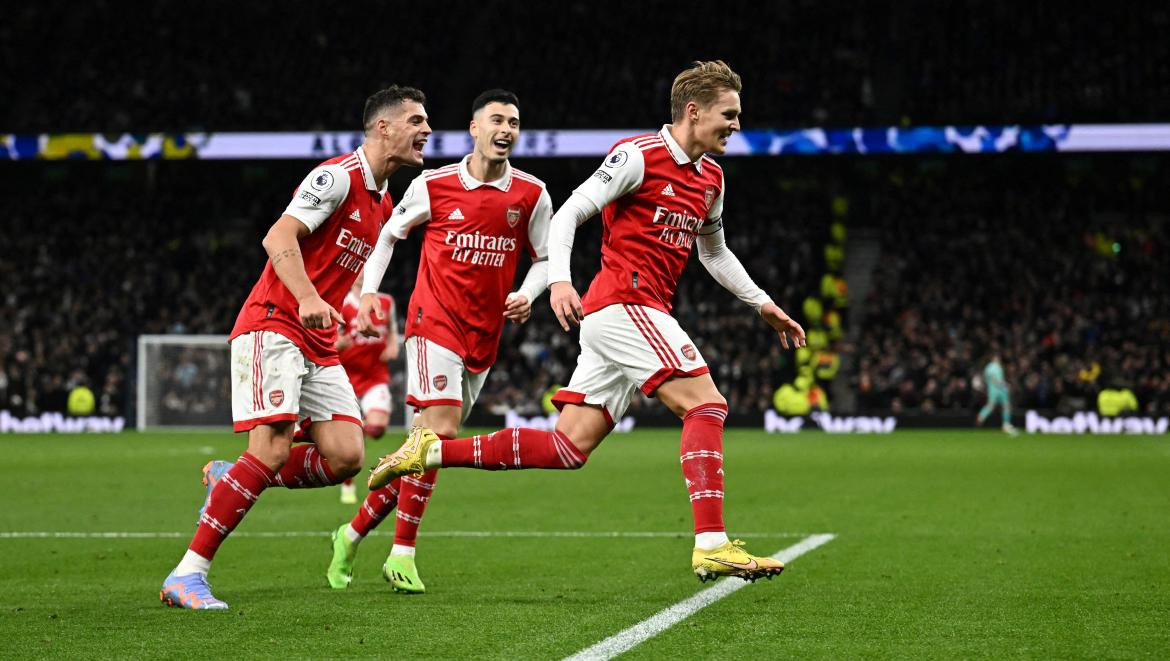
[265, 66]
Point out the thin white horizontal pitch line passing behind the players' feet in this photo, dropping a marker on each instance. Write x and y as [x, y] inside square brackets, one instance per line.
[167, 535]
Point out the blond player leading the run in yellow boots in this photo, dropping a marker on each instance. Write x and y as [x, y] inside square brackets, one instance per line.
[659, 195]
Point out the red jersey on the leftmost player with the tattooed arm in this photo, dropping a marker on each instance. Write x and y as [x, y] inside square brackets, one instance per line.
[345, 211]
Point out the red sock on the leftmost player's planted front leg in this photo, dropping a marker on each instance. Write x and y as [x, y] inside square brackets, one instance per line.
[232, 498]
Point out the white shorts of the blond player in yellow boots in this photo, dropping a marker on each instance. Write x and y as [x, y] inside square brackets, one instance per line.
[624, 348]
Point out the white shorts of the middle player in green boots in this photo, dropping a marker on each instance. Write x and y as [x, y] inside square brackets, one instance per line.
[436, 376]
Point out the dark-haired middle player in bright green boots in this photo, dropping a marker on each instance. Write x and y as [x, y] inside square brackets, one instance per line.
[480, 215]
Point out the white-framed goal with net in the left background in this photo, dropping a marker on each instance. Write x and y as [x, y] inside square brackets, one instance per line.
[184, 382]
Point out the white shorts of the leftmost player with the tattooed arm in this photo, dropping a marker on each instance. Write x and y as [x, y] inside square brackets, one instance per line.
[272, 382]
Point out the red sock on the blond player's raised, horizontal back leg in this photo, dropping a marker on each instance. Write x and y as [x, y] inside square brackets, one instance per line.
[513, 449]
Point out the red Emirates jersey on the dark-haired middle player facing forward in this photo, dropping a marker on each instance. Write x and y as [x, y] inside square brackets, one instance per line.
[472, 244]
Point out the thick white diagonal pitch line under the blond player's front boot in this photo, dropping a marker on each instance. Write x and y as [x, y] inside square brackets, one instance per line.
[649, 629]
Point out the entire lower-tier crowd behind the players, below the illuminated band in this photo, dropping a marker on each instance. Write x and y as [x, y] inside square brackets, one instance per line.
[1058, 263]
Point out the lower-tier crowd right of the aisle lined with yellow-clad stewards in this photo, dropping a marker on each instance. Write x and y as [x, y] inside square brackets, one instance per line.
[1059, 266]
